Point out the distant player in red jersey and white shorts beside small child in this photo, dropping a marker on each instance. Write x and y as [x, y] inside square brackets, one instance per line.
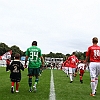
[72, 60]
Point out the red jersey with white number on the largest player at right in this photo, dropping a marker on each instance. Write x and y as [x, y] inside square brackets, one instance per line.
[94, 53]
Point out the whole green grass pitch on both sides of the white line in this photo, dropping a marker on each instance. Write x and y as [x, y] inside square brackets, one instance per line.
[63, 89]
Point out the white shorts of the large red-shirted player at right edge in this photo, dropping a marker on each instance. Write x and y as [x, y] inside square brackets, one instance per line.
[94, 68]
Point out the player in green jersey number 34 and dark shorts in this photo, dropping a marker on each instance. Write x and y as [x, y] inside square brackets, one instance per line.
[34, 55]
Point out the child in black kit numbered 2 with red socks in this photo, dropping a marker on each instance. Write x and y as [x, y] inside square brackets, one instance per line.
[15, 67]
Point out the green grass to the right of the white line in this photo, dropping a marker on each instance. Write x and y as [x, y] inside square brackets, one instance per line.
[73, 91]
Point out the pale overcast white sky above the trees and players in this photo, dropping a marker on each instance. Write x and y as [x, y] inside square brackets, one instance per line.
[59, 26]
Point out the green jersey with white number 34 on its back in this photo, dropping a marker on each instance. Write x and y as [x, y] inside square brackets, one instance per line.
[34, 54]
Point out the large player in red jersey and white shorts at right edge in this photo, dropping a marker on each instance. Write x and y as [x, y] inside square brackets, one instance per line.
[93, 55]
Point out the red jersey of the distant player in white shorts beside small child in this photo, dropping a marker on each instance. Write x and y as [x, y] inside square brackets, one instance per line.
[73, 60]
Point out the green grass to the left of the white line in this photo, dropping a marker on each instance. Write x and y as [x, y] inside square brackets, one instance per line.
[41, 94]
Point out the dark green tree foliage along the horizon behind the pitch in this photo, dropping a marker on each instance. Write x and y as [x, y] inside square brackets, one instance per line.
[15, 49]
